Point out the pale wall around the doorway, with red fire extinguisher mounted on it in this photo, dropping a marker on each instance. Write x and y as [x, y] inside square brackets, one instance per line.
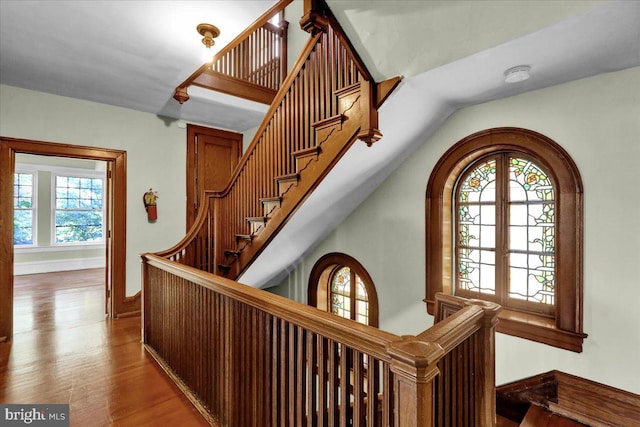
[156, 157]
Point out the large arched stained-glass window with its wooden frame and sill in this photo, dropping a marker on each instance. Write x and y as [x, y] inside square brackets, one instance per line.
[504, 224]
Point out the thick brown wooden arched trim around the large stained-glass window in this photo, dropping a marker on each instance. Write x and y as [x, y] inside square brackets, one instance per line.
[564, 330]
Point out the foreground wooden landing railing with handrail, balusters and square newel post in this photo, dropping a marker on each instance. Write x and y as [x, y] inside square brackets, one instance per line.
[246, 357]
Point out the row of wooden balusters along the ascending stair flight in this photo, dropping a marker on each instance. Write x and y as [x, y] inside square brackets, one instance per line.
[310, 98]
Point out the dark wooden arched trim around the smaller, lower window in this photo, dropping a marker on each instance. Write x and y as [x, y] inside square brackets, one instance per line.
[322, 273]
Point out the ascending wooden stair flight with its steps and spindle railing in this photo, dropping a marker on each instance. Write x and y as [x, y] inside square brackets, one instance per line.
[327, 102]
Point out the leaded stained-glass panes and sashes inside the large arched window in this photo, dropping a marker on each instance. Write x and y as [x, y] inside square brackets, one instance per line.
[505, 245]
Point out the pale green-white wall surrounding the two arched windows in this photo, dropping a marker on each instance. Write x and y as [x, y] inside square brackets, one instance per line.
[597, 120]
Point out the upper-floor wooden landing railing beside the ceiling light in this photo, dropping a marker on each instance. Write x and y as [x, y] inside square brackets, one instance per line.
[251, 66]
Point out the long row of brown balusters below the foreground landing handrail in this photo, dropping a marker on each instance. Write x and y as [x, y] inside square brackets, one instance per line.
[248, 367]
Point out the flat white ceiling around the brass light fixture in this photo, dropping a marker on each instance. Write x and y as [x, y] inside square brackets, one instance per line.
[131, 54]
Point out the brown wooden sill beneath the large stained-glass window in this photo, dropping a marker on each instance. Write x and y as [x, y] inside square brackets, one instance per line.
[534, 327]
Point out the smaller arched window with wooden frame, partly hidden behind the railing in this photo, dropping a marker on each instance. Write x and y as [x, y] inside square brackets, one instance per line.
[340, 285]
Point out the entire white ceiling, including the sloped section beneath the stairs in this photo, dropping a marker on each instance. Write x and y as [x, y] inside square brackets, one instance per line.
[452, 54]
